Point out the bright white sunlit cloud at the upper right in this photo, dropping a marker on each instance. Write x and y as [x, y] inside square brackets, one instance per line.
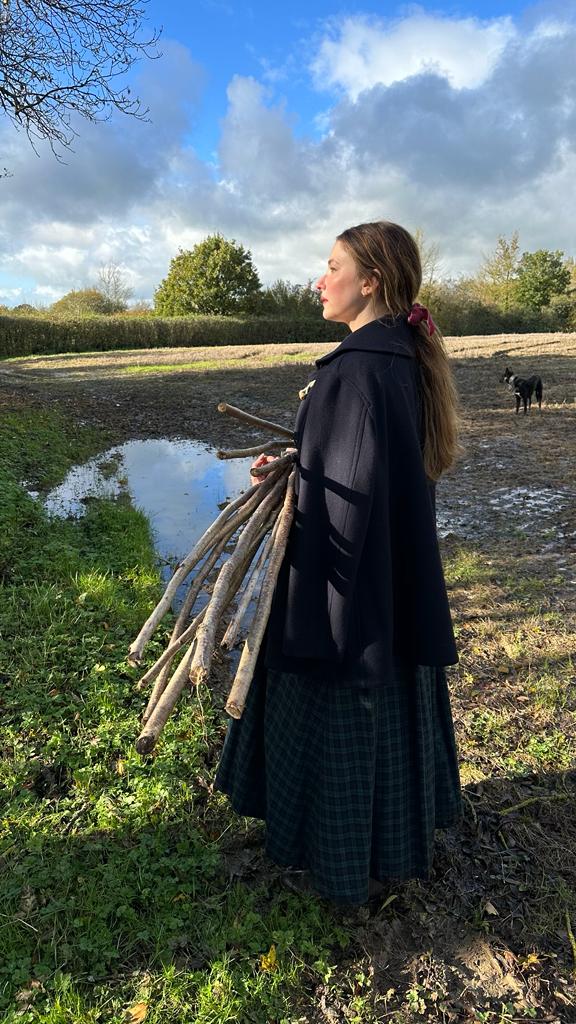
[362, 53]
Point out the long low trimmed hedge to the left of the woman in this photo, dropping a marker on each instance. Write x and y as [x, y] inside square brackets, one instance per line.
[49, 335]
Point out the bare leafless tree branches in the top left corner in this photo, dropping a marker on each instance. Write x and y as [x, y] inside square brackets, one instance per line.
[60, 59]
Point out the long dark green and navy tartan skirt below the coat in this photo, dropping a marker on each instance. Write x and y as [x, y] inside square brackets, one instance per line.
[351, 781]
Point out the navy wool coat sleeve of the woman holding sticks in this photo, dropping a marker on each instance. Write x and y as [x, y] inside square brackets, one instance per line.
[339, 461]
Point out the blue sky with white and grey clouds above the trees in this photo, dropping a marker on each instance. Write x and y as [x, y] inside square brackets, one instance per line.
[280, 126]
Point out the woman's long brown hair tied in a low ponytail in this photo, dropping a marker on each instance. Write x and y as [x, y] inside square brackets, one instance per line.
[390, 253]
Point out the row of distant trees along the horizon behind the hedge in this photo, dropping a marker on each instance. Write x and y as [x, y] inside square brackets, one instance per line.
[513, 290]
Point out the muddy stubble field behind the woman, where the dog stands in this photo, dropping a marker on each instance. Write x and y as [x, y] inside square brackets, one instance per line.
[517, 477]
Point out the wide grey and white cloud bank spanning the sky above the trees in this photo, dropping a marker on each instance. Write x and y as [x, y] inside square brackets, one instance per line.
[464, 162]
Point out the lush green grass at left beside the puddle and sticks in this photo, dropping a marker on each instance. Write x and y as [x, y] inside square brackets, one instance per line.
[113, 889]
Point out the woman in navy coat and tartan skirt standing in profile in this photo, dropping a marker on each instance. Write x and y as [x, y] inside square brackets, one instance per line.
[347, 746]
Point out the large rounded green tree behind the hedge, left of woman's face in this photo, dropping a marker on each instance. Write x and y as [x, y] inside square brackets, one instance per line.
[217, 277]
